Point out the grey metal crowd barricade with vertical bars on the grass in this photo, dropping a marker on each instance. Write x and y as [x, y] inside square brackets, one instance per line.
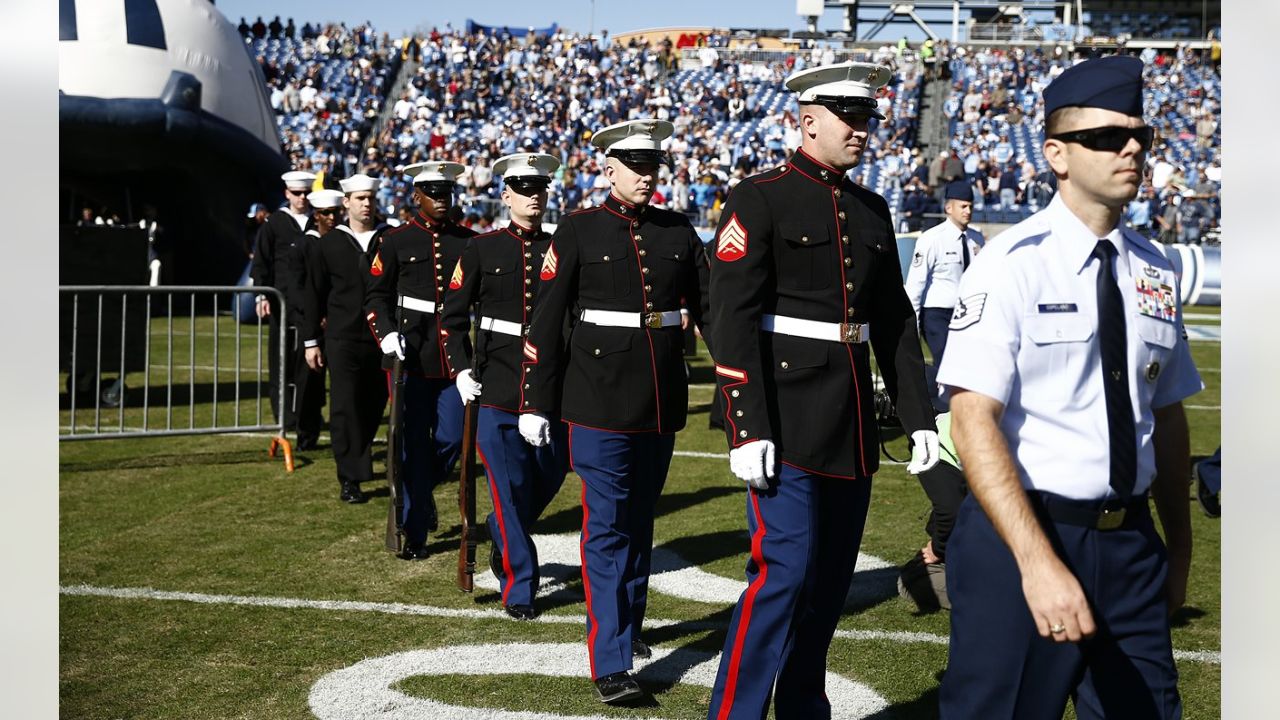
[157, 335]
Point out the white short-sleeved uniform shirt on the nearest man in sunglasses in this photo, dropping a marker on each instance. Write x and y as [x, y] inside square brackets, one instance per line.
[1026, 335]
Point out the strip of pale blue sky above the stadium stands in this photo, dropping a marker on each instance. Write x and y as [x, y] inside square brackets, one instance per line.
[615, 16]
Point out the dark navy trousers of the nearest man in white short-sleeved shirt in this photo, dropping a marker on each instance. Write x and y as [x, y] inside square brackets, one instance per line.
[1000, 668]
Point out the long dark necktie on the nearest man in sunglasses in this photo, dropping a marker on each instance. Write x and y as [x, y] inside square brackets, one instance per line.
[1116, 375]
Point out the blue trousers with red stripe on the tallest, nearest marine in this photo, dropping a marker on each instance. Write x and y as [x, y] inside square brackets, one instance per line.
[806, 532]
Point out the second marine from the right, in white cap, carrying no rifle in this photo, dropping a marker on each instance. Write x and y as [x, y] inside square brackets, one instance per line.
[621, 272]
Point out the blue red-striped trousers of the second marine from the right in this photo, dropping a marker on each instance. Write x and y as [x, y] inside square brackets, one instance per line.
[623, 477]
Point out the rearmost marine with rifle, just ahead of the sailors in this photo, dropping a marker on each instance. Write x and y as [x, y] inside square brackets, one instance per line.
[406, 294]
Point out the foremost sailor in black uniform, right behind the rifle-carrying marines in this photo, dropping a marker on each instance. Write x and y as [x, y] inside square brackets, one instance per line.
[335, 331]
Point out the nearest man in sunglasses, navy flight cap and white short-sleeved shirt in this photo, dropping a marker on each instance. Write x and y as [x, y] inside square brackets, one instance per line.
[1067, 368]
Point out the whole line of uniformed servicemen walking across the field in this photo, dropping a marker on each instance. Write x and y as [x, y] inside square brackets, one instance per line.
[1064, 376]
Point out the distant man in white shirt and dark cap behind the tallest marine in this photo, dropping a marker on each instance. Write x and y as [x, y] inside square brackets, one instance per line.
[943, 254]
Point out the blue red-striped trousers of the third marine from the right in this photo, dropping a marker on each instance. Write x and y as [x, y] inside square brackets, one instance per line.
[523, 482]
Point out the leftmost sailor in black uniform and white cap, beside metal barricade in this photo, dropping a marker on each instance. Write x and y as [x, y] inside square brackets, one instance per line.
[278, 262]
